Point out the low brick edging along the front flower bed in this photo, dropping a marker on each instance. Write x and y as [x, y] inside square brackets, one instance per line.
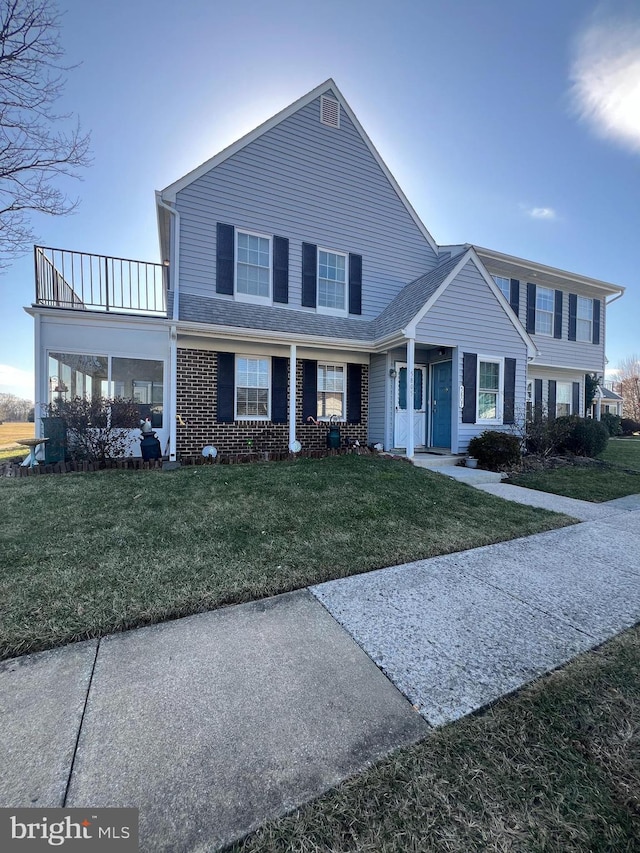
[12, 469]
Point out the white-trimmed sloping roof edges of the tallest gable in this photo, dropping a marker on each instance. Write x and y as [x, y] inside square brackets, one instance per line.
[329, 86]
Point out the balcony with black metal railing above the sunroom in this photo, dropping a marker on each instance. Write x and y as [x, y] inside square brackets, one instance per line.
[85, 282]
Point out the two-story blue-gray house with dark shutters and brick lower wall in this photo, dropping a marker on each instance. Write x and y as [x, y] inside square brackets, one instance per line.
[297, 285]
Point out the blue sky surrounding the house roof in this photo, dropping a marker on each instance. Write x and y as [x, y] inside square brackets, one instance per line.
[514, 126]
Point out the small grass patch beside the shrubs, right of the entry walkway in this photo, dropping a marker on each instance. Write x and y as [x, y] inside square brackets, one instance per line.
[619, 477]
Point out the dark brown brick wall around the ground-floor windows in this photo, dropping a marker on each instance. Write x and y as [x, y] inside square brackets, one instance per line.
[197, 384]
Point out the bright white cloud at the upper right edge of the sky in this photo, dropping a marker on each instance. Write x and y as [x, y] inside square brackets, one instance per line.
[605, 79]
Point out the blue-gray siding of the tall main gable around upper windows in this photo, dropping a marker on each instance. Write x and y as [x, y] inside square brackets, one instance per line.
[310, 183]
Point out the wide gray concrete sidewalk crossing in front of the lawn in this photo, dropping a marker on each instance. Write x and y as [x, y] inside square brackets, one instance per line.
[214, 723]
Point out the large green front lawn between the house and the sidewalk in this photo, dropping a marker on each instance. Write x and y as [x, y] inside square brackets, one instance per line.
[88, 554]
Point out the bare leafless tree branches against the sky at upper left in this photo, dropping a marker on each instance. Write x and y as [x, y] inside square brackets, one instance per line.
[35, 147]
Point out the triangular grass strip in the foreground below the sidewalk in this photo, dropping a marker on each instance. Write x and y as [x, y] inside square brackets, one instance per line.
[554, 768]
